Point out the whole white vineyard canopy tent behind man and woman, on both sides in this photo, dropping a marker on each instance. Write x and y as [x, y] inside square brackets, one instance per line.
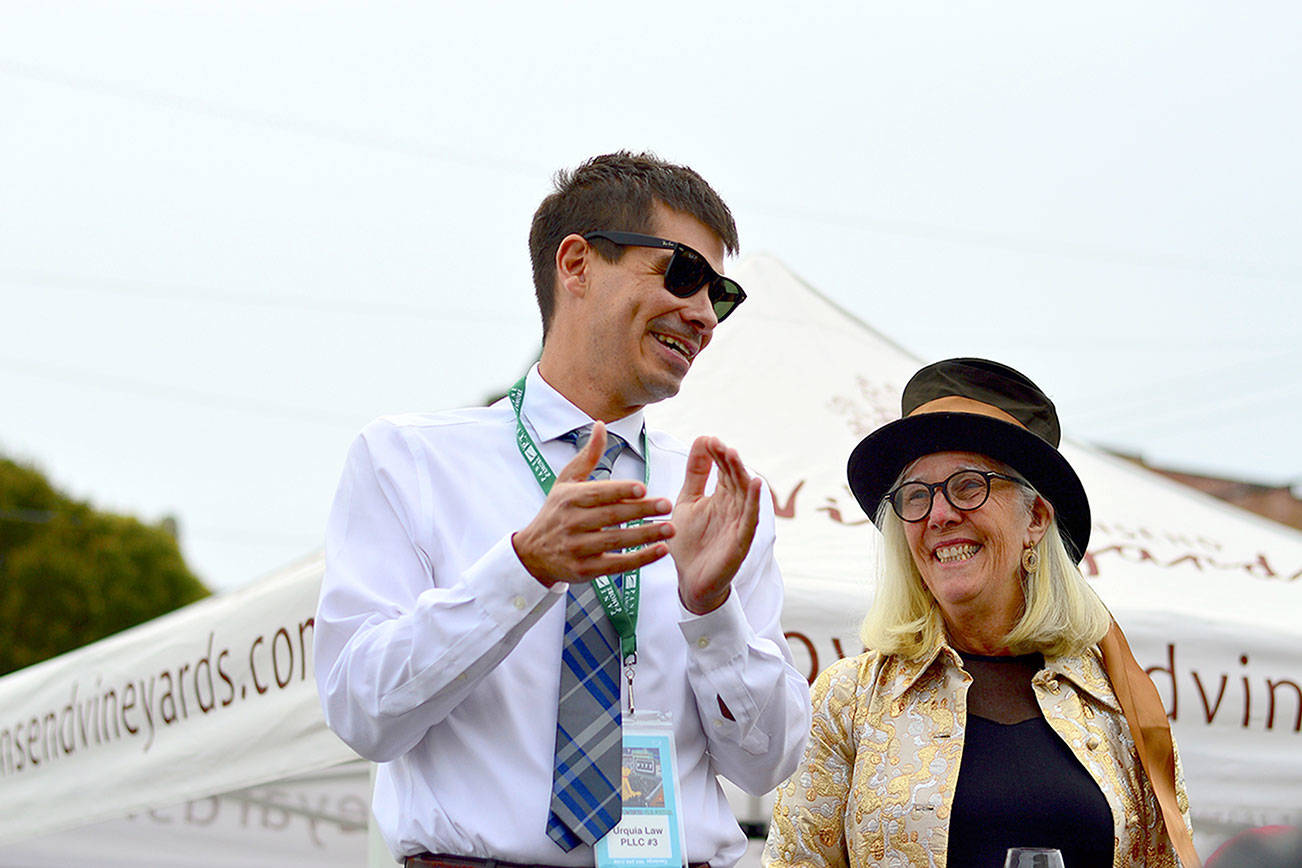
[219, 697]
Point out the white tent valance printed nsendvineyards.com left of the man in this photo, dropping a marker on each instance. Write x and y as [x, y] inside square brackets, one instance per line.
[212, 698]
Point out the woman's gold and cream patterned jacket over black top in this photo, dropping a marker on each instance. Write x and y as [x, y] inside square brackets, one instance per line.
[880, 772]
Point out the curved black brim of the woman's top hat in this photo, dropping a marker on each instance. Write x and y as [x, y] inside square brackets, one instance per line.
[878, 460]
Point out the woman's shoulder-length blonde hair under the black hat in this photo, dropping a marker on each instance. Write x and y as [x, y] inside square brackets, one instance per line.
[1062, 614]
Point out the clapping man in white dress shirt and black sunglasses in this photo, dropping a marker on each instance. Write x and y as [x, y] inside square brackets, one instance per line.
[443, 611]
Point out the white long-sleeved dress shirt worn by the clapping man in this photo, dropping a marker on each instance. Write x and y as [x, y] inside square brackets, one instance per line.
[438, 655]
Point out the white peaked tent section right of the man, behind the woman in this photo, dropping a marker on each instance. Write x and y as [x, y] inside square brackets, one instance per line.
[1209, 595]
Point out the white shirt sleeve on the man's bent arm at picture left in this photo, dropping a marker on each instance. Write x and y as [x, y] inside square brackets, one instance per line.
[395, 649]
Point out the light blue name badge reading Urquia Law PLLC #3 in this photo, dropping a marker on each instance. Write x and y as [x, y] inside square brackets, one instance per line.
[650, 830]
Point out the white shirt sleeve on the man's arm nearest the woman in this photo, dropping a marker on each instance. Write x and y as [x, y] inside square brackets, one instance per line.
[738, 655]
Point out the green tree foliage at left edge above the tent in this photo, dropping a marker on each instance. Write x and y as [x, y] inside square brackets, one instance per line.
[71, 575]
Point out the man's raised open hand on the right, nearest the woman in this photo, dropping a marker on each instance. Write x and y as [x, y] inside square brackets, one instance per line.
[713, 532]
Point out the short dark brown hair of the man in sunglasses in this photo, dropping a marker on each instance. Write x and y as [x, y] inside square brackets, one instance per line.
[618, 192]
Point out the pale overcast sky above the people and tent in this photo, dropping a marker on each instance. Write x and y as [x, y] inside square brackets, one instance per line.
[231, 234]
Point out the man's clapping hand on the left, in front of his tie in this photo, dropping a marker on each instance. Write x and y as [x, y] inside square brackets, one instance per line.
[576, 536]
